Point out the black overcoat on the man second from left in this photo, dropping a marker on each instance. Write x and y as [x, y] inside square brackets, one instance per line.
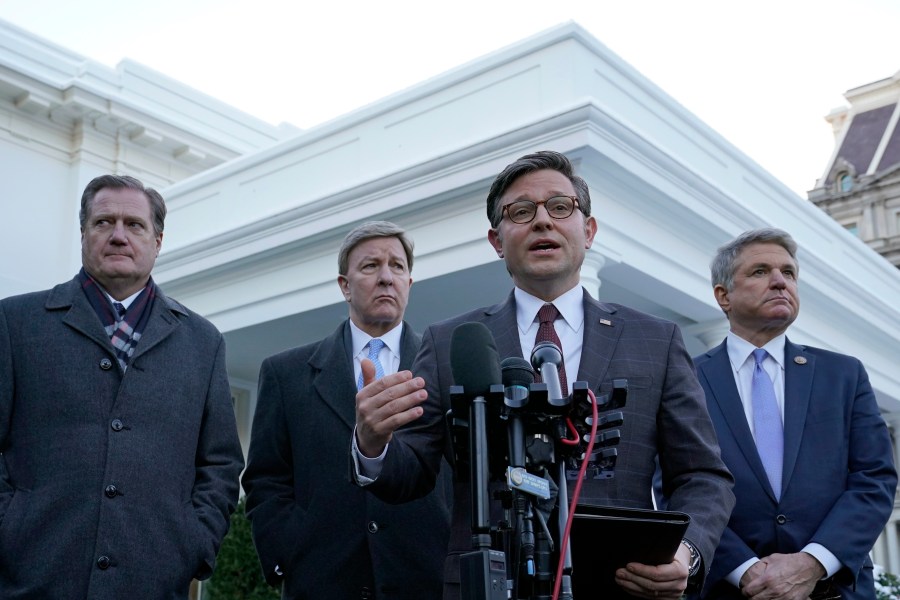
[330, 538]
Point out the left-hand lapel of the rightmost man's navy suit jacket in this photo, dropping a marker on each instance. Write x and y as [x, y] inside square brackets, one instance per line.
[721, 389]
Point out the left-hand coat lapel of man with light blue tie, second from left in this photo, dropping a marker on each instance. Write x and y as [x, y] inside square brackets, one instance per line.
[333, 378]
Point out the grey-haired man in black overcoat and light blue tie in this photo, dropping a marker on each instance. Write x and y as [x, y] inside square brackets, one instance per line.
[317, 535]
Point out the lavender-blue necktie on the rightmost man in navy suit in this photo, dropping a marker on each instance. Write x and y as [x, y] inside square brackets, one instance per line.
[767, 426]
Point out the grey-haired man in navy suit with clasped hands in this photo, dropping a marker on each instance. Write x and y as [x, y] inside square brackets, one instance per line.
[806, 517]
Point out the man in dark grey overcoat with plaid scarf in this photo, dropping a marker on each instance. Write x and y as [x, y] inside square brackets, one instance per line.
[119, 454]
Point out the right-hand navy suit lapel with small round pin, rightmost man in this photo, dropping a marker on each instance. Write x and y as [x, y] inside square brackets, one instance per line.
[799, 368]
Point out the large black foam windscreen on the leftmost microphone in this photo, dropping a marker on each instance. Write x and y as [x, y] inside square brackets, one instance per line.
[473, 359]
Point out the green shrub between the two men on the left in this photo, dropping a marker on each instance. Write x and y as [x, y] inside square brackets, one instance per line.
[238, 575]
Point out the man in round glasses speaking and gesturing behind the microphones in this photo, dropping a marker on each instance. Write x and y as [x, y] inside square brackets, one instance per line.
[541, 226]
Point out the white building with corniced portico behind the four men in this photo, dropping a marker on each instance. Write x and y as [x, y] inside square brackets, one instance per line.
[257, 213]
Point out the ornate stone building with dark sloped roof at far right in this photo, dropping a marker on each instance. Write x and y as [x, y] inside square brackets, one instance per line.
[860, 188]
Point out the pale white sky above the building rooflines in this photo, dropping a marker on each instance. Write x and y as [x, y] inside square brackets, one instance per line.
[763, 74]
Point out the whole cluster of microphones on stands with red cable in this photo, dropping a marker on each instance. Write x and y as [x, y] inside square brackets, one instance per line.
[534, 437]
